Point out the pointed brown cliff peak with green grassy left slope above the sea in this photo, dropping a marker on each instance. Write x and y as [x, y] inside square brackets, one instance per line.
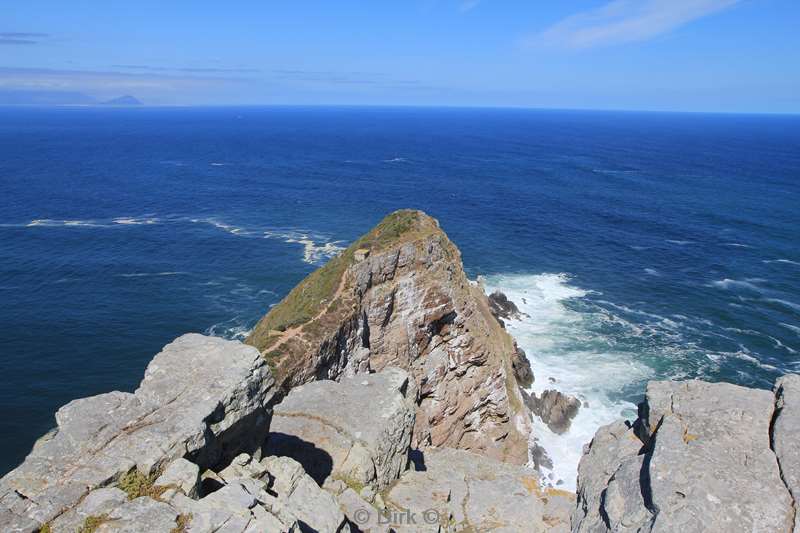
[399, 297]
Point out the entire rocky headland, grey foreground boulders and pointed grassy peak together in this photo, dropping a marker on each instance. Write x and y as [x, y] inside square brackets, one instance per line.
[384, 394]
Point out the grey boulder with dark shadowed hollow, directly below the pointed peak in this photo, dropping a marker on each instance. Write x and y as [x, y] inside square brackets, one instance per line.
[357, 430]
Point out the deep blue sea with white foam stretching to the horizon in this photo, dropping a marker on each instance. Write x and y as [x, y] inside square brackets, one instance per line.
[641, 245]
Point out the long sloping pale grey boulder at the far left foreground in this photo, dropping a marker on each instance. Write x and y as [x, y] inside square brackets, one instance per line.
[202, 398]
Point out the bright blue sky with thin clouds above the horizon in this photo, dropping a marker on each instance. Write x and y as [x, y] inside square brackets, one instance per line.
[689, 55]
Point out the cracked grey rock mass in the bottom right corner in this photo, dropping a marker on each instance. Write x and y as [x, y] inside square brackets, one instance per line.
[701, 457]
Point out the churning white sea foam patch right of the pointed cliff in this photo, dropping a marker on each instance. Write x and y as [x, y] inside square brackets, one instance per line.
[569, 352]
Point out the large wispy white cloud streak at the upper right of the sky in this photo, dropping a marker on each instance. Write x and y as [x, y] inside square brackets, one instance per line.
[625, 21]
